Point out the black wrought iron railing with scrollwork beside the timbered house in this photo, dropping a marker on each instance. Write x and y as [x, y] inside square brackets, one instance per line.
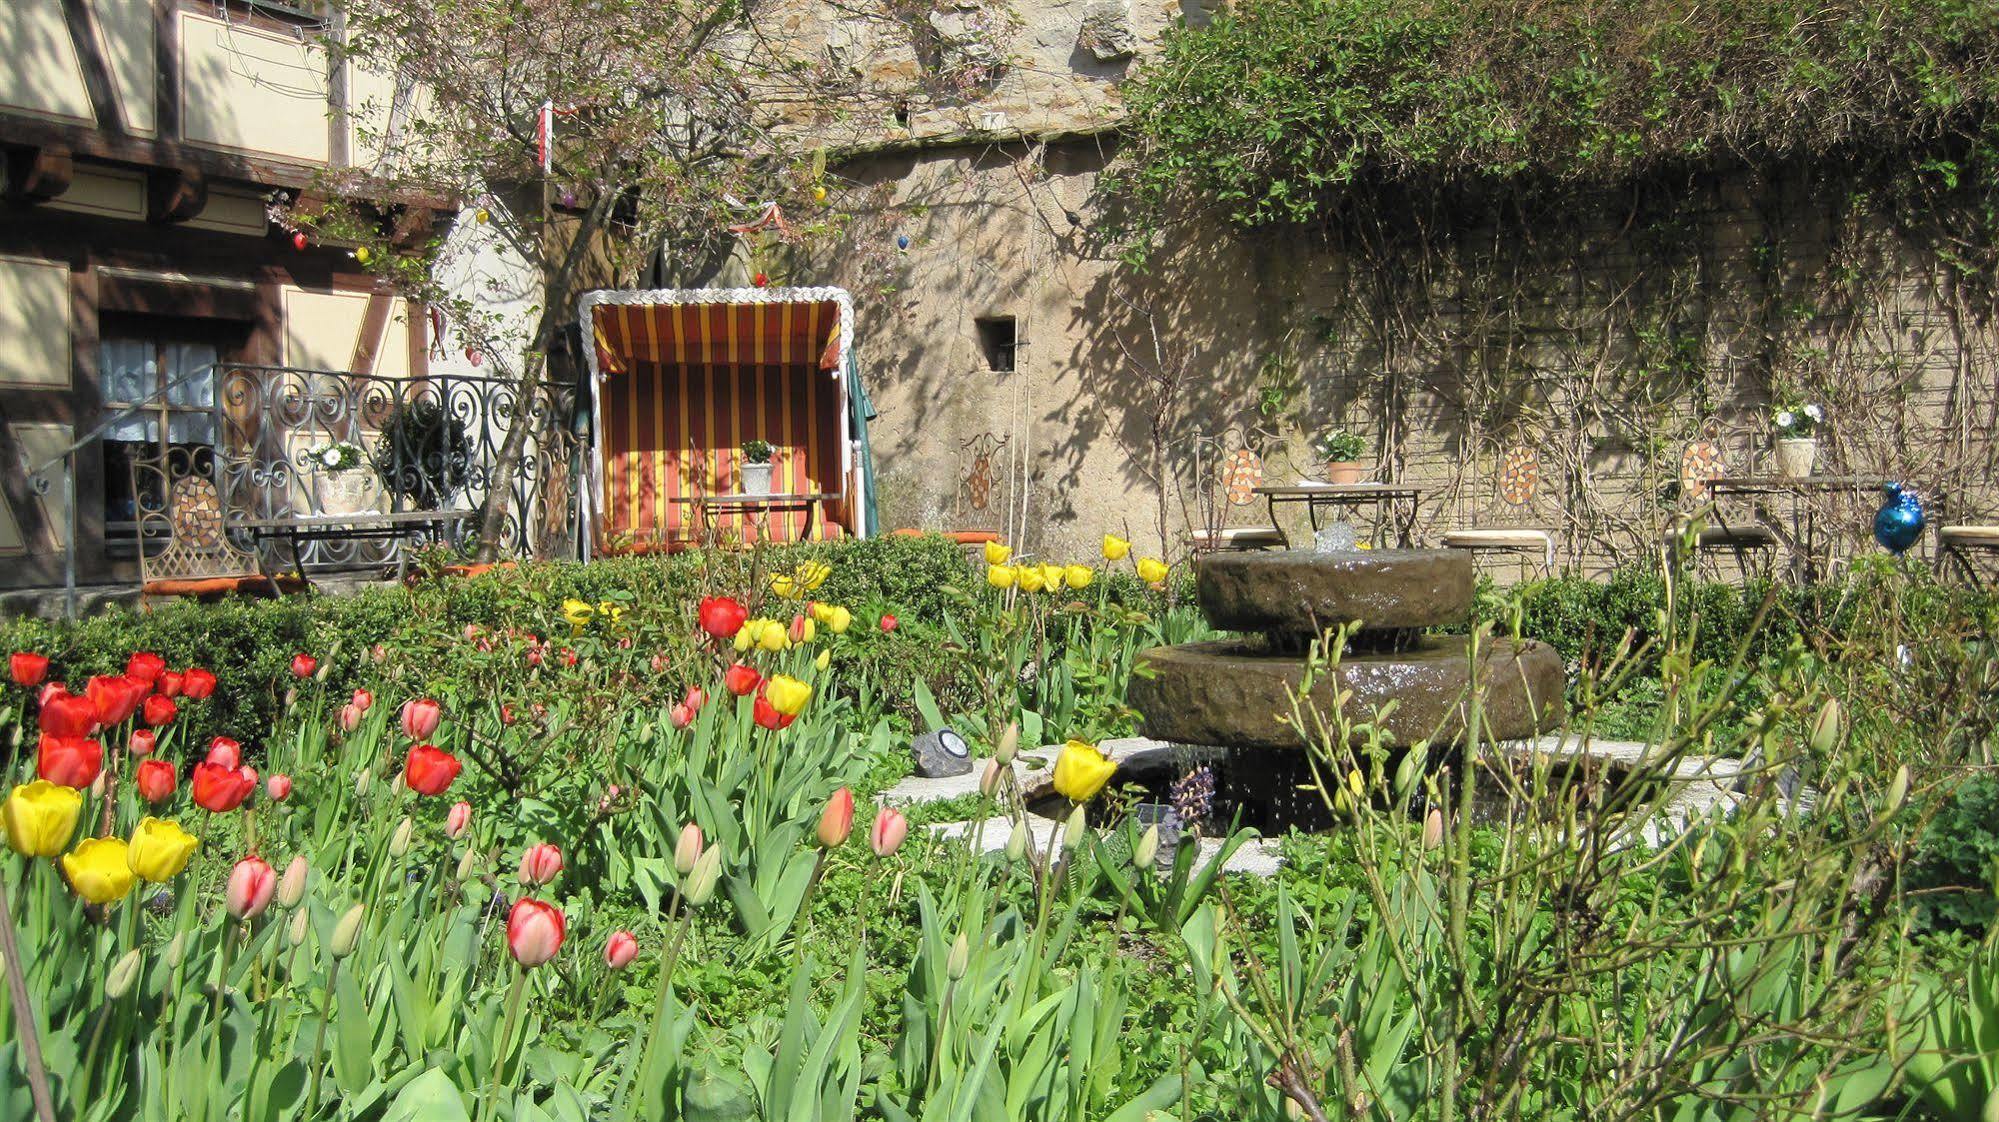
[427, 445]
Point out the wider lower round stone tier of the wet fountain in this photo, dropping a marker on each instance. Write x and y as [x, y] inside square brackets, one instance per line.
[1236, 695]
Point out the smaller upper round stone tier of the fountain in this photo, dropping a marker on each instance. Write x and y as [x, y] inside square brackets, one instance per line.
[1308, 593]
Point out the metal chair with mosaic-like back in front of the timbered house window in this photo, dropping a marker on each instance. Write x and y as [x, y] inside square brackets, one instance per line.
[183, 543]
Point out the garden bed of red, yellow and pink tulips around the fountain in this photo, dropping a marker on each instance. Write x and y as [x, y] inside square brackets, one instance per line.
[617, 841]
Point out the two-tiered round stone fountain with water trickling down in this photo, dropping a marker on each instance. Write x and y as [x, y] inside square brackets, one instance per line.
[1236, 695]
